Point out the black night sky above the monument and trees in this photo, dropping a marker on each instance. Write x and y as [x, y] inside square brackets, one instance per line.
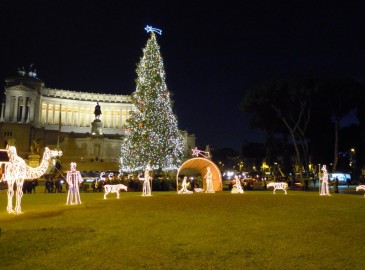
[212, 53]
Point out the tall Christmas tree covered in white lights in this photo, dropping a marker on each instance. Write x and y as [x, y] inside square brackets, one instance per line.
[151, 132]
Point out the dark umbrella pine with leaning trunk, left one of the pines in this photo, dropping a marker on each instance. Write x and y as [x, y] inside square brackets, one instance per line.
[285, 103]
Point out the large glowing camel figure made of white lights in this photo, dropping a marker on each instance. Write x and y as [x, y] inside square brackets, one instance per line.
[16, 170]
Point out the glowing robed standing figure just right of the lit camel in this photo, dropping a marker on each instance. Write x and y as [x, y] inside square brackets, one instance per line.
[73, 179]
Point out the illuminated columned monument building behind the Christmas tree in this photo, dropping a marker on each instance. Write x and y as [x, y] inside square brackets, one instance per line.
[30, 112]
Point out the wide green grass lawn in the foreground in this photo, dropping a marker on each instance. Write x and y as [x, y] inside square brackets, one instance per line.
[255, 230]
